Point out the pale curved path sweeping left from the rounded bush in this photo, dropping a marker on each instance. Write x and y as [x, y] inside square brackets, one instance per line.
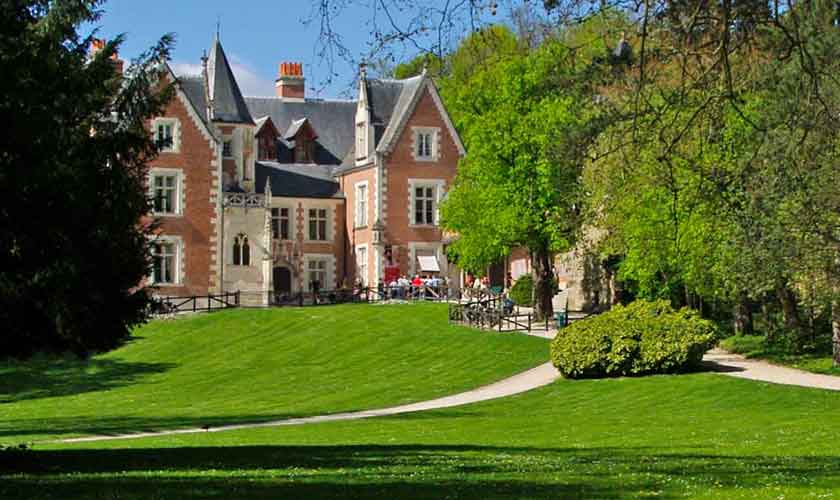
[543, 374]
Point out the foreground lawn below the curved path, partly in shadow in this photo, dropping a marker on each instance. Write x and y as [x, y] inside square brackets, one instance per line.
[689, 436]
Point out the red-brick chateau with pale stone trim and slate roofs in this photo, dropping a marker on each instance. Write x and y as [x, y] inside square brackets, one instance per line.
[272, 195]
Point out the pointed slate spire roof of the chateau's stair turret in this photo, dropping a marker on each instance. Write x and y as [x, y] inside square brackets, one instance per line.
[228, 104]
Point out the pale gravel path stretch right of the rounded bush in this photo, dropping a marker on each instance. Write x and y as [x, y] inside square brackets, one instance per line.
[736, 365]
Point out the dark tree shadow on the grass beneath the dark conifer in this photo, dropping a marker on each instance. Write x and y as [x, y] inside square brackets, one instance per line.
[45, 377]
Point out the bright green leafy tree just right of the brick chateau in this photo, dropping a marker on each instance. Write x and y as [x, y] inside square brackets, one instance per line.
[527, 123]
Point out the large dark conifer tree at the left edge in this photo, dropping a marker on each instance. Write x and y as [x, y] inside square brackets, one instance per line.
[73, 248]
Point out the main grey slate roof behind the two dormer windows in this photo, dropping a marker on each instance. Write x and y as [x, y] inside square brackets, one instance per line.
[334, 121]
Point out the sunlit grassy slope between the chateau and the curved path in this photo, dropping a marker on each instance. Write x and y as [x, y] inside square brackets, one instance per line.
[251, 365]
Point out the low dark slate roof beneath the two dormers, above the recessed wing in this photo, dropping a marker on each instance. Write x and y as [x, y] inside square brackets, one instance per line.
[297, 180]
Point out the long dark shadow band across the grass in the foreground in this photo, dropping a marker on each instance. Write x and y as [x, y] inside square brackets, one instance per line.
[399, 471]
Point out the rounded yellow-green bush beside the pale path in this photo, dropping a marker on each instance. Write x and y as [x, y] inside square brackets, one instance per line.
[639, 339]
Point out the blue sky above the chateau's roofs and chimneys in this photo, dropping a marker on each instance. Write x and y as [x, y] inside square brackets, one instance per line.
[256, 35]
